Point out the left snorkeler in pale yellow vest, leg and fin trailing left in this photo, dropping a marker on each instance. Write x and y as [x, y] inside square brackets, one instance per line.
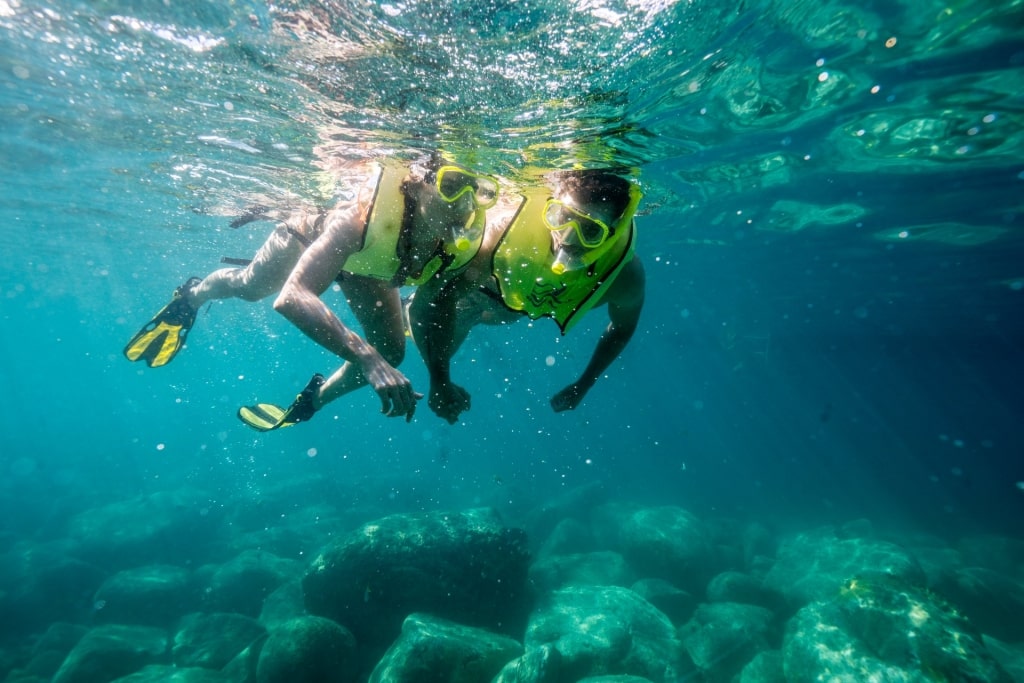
[406, 225]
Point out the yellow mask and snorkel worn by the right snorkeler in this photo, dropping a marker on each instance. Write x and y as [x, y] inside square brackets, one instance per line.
[590, 239]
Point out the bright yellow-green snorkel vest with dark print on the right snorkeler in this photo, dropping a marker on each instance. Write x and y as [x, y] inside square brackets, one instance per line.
[523, 262]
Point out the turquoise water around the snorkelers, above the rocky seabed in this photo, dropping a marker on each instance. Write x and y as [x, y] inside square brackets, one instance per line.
[832, 233]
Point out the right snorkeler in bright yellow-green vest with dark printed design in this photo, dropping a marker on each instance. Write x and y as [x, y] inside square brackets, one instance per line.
[552, 254]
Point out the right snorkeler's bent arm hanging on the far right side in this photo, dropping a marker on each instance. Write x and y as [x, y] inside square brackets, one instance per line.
[625, 300]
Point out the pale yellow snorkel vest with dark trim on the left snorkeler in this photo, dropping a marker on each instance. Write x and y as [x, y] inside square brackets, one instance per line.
[379, 255]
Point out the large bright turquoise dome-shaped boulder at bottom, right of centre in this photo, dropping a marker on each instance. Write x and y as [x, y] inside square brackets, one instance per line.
[603, 630]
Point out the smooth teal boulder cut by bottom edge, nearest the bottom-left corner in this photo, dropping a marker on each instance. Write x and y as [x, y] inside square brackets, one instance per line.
[112, 652]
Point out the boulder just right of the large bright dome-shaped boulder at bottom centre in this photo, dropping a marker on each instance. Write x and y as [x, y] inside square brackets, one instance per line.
[723, 637]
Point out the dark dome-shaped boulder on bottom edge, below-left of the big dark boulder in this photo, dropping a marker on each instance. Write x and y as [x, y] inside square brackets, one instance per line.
[308, 650]
